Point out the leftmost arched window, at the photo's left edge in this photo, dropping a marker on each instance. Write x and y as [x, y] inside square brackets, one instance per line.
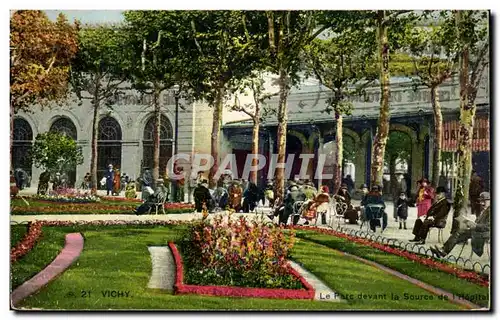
[22, 141]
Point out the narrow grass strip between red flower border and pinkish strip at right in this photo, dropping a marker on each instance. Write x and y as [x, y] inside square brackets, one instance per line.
[415, 270]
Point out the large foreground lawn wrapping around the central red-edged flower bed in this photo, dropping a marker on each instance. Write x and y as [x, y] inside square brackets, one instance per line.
[117, 258]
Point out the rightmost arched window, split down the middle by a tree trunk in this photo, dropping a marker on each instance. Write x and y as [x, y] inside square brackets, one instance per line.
[166, 134]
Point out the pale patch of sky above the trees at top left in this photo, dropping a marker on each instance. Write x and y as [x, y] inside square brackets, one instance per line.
[89, 16]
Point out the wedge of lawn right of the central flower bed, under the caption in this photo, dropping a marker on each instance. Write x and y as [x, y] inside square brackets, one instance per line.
[365, 287]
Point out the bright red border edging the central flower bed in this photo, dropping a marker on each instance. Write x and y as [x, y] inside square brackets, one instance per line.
[228, 291]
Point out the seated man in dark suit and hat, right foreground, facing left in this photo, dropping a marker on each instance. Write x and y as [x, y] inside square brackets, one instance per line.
[436, 217]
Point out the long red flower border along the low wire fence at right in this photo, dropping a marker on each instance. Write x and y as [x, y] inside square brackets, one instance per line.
[460, 273]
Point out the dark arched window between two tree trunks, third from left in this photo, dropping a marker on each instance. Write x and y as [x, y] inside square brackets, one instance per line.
[109, 145]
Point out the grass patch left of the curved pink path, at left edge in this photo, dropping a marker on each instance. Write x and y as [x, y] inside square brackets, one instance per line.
[45, 250]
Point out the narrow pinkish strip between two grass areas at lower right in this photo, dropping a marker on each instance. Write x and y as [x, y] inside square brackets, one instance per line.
[451, 297]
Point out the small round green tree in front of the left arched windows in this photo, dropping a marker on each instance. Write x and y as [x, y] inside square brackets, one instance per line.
[55, 152]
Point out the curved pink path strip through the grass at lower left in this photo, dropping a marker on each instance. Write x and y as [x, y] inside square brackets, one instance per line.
[68, 255]
